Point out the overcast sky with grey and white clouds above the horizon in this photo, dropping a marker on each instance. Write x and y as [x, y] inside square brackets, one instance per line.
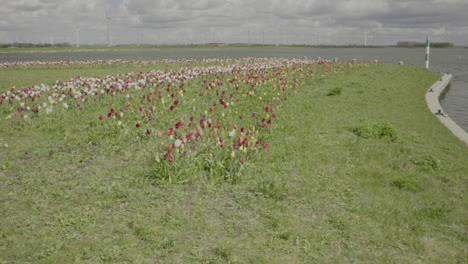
[234, 21]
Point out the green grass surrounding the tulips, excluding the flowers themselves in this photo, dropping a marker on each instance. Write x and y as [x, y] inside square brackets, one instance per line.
[363, 175]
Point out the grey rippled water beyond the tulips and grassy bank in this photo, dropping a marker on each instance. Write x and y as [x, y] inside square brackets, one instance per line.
[455, 61]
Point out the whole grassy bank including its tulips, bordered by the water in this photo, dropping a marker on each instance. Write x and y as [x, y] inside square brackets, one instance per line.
[228, 160]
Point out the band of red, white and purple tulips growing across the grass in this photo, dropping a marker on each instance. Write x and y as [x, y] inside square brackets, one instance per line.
[214, 118]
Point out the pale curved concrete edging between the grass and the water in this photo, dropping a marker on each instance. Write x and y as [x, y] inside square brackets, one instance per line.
[432, 100]
